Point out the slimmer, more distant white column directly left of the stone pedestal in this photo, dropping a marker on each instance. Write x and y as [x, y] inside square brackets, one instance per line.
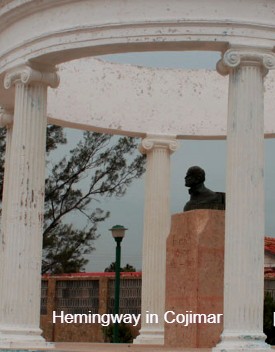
[156, 229]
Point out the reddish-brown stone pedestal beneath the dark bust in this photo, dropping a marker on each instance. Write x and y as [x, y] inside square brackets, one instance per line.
[194, 276]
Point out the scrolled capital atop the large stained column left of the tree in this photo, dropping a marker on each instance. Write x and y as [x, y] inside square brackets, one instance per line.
[29, 75]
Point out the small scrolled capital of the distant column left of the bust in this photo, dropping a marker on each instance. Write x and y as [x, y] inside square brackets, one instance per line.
[164, 142]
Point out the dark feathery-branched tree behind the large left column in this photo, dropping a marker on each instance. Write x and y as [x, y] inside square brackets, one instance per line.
[99, 165]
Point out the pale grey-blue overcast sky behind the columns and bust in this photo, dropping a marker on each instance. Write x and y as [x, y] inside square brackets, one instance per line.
[210, 155]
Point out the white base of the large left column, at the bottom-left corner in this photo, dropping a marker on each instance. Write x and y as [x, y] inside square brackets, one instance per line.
[22, 338]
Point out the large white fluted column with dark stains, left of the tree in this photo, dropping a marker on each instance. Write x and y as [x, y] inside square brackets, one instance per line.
[22, 252]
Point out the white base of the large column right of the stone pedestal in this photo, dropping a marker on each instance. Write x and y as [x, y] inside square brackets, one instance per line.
[242, 343]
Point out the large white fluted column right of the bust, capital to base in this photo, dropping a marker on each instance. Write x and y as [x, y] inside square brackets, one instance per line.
[244, 225]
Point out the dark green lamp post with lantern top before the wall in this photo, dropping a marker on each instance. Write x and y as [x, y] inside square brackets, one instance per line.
[118, 233]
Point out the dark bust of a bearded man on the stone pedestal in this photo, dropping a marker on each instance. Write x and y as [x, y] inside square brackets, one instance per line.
[200, 196]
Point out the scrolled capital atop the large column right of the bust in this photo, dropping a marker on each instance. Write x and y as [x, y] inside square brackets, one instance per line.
[234, 57]
